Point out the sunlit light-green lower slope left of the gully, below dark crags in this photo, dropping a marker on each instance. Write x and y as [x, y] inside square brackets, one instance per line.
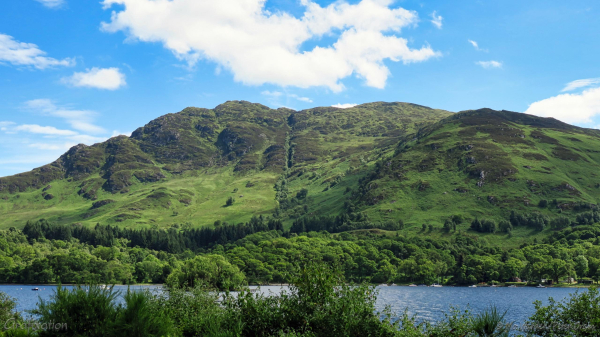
[194, 200]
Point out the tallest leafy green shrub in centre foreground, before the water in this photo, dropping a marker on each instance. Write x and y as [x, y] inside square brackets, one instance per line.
[318, 303]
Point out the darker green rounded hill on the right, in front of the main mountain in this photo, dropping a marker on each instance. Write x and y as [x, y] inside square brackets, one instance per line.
[436, 176]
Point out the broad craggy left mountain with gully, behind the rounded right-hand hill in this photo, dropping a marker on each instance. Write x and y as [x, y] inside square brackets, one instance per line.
[201, 165]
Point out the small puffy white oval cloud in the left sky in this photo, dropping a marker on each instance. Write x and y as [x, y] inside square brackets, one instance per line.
[100, 78]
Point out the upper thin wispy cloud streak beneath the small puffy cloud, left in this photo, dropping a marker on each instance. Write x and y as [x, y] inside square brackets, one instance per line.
[78, 119]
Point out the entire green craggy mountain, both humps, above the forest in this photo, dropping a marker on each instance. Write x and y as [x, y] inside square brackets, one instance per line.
[383, 160]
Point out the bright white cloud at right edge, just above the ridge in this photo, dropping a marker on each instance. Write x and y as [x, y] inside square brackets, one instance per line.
[569, 108]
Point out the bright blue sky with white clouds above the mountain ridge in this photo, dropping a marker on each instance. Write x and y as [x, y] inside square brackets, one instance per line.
[82, 71]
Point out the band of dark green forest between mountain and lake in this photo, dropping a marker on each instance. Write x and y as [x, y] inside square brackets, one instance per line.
[261, 252]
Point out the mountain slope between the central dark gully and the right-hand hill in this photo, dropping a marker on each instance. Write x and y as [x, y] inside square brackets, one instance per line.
[335, 147]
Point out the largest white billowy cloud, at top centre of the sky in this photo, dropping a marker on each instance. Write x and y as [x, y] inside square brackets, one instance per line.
[258, 46]
